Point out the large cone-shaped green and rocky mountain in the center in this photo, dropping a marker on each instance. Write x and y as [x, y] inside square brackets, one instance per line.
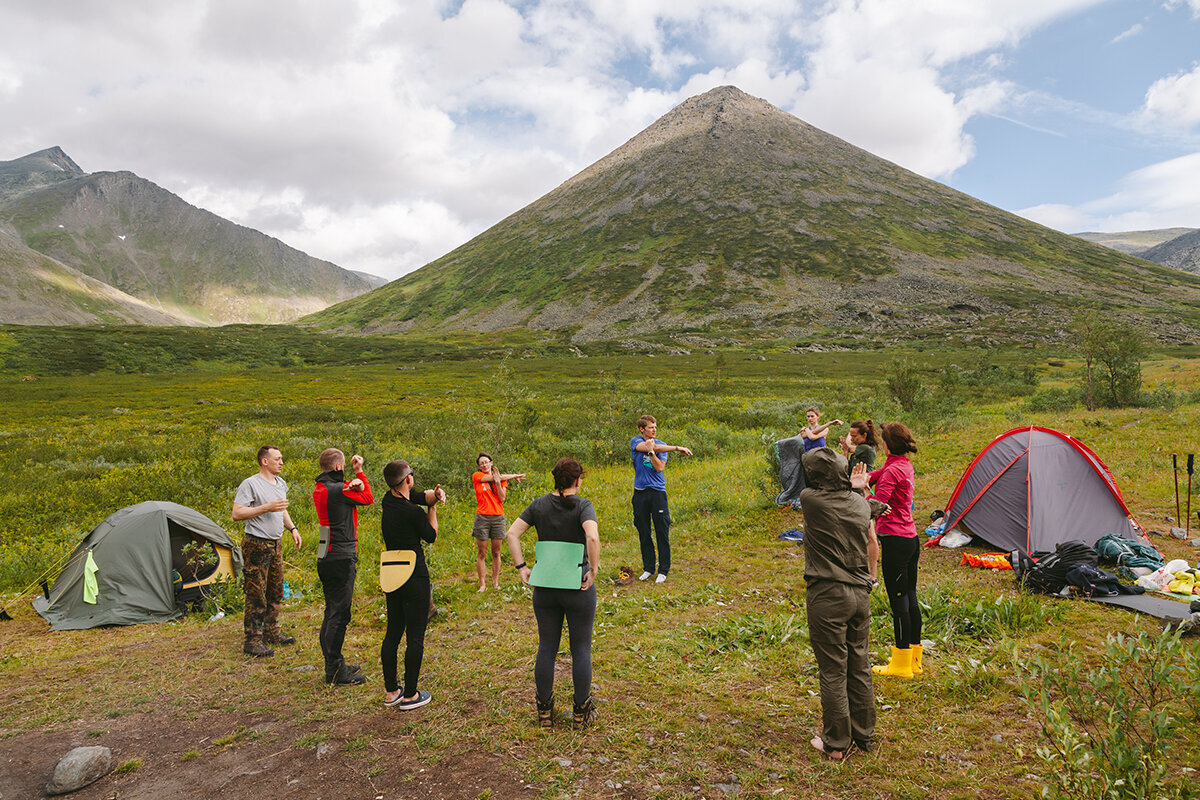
[730, 218]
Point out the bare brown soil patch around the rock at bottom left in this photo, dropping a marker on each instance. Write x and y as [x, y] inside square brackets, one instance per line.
[266, 759]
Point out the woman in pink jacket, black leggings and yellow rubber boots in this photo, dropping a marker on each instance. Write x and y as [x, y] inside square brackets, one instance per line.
[893, 484]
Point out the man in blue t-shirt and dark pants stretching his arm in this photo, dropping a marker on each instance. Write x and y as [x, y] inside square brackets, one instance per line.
[650, 458]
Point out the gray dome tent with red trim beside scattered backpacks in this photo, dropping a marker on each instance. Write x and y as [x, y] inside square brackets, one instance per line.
[1033, 489]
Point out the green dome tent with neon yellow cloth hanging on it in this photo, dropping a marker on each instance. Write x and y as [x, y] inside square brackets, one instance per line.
[136, 570]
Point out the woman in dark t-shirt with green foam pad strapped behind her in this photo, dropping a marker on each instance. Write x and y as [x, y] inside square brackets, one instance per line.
[562, 518]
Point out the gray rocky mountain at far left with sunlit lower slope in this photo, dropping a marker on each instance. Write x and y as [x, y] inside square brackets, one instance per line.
[146, 243]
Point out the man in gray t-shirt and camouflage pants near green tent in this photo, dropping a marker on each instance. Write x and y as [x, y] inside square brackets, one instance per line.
[262, 504]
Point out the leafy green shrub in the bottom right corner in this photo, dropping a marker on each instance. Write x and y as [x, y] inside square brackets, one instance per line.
[1108, 729]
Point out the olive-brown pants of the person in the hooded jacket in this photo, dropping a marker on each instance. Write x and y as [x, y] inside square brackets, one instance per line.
[839, 624]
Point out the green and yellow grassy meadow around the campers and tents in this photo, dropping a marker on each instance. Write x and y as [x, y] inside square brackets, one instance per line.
[706, 684]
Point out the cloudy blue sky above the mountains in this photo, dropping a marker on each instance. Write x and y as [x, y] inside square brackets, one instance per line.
[382, 134]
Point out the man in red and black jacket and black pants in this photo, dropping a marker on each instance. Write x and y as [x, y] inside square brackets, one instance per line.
[338, 502]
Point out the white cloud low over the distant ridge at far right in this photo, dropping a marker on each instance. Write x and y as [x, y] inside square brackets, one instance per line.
[1166, 195]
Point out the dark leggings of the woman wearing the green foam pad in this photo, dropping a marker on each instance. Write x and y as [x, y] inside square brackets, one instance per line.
[550, 606]
